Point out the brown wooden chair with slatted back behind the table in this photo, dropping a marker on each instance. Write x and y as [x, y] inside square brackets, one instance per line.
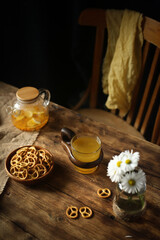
[143, 119]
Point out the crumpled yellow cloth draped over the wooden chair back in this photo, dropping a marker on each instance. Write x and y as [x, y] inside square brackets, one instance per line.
[122, 62]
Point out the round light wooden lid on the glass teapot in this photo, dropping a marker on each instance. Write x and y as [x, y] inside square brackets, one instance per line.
[27, 94]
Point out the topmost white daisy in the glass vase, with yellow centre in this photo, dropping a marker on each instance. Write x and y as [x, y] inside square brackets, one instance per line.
[129, 160]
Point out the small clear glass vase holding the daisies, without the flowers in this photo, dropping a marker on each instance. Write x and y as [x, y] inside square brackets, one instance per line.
[127, 206]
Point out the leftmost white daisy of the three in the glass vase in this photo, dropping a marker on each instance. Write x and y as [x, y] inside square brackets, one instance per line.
[114, 170]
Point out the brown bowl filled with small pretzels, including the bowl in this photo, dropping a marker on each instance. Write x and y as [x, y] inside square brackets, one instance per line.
[29, 164]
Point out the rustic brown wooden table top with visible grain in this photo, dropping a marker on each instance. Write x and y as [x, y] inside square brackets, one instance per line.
[38, 212]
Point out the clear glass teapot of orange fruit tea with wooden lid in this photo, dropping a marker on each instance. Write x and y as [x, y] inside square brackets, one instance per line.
[30, 110]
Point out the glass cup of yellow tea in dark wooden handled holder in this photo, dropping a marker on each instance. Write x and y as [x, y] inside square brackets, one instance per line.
[84, 151]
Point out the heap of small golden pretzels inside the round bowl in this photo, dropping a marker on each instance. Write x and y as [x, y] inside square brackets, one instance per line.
[30, 163]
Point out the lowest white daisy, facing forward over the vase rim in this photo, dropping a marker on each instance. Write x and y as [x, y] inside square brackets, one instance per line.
[133, 182]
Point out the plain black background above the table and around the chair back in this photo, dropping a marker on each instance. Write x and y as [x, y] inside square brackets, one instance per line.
[43, 46]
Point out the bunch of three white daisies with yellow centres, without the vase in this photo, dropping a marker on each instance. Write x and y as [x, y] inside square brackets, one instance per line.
[123, 169]
